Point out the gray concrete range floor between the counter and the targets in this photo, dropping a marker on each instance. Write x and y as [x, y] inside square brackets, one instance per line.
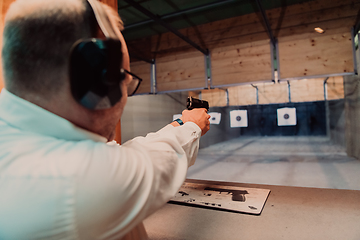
[288, 161]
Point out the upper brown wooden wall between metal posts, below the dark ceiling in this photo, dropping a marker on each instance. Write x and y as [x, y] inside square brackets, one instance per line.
[240, 49]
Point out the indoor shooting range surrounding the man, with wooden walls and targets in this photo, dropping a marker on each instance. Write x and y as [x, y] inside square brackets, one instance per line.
[281, 79]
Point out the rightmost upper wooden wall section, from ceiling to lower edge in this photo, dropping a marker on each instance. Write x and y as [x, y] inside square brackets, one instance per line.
[304, 52]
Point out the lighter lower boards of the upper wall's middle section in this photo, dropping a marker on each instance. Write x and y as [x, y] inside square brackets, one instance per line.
[234, 64]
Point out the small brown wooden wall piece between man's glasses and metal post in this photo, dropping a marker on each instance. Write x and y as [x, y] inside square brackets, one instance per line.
[143, 70]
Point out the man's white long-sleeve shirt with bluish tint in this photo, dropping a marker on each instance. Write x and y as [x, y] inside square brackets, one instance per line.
[58, 181]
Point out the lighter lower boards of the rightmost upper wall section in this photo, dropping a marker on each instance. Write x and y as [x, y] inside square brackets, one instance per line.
[326, 54]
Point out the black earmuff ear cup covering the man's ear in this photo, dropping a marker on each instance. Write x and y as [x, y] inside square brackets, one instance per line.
[95, 74]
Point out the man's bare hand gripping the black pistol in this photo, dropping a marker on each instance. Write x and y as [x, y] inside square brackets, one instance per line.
[198, 116]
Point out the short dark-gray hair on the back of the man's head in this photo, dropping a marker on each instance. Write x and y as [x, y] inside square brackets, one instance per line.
[37, 39]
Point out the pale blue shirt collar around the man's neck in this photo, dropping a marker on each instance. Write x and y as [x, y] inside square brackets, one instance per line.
[27, 116]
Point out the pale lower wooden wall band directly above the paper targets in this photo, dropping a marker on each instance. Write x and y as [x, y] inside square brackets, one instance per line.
[305, 90]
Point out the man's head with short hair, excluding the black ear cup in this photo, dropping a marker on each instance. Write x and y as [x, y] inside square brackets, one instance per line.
[38, 36]
